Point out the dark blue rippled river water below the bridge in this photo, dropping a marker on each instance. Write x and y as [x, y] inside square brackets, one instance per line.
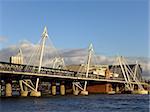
[70, 103]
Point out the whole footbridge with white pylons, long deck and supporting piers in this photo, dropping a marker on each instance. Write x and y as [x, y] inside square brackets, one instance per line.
[30, 76]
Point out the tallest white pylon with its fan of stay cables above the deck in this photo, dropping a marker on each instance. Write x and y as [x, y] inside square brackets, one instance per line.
[45, 54]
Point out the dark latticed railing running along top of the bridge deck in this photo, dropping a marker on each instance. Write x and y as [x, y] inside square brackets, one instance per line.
[4, 66]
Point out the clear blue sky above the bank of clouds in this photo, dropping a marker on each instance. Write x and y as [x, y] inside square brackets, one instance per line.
[113, 26]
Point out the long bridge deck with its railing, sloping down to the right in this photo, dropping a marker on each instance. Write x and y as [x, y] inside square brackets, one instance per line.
[28, 70]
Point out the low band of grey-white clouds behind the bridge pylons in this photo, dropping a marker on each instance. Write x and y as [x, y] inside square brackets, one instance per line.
[71, 56]
